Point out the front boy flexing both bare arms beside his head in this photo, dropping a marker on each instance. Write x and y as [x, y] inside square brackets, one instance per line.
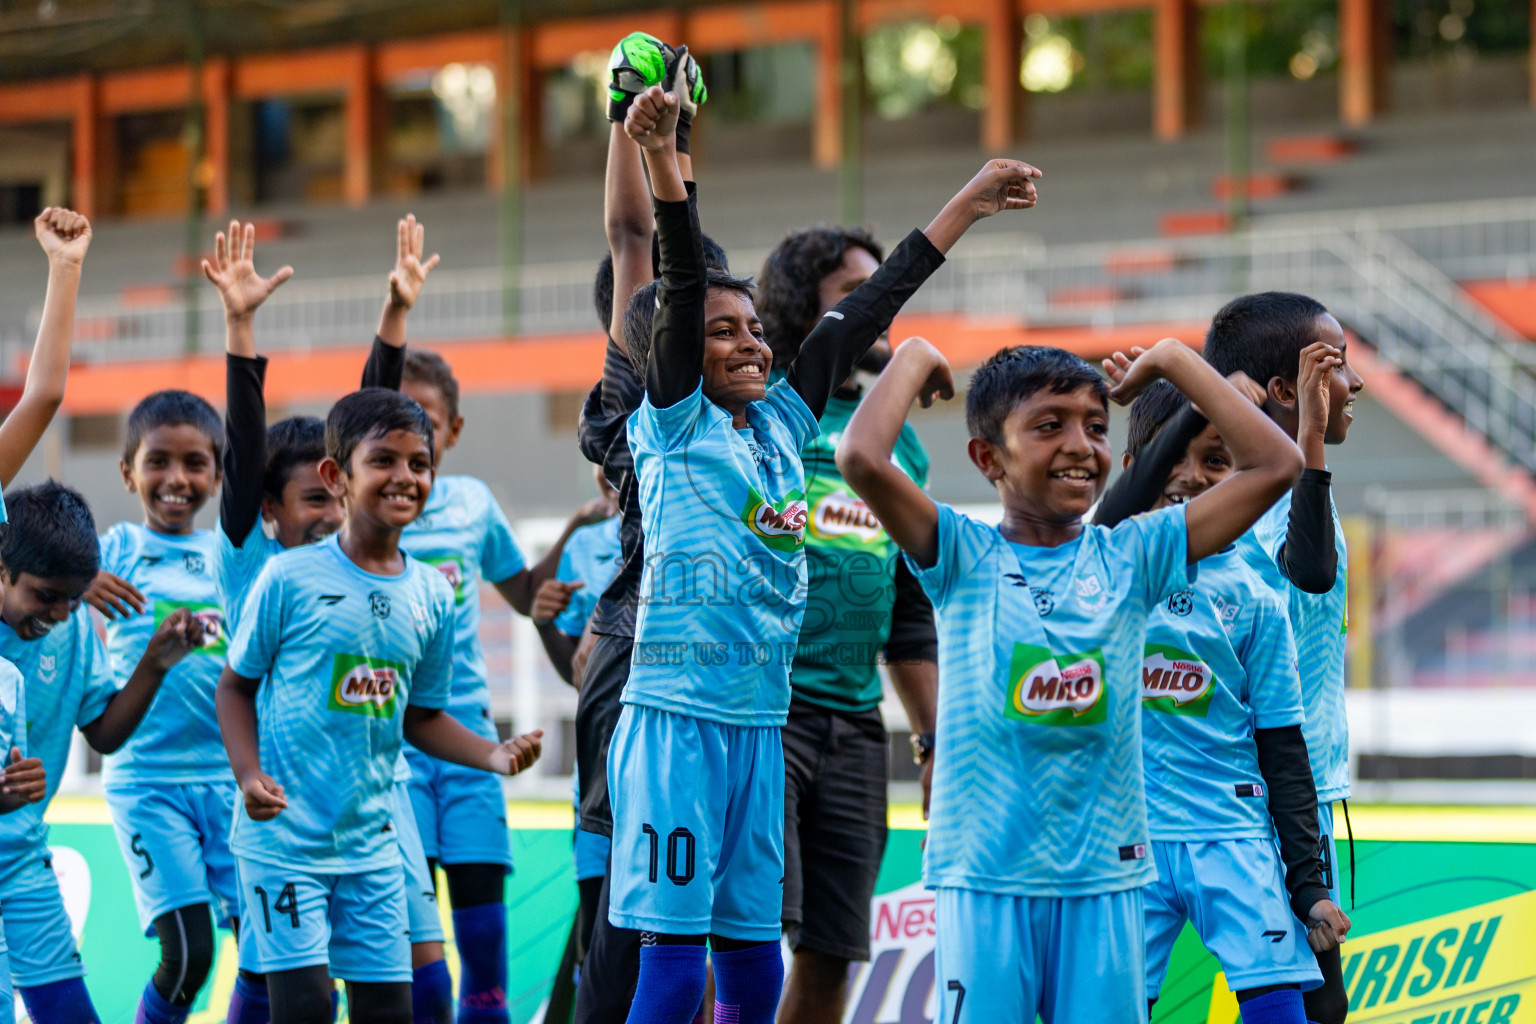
[1038, 841]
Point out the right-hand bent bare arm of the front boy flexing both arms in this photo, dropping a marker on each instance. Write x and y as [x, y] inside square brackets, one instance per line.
[1266, 460]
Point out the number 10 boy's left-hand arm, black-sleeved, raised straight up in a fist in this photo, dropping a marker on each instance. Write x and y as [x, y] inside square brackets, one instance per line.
[677, 360]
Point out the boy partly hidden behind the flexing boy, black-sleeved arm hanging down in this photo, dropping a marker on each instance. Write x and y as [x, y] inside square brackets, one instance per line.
[1226, 764]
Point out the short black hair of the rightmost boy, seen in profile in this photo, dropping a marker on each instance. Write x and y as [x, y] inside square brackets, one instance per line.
[1263, 335]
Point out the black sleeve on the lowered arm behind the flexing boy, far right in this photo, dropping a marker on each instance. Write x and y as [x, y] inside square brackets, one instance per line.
[1294, 808]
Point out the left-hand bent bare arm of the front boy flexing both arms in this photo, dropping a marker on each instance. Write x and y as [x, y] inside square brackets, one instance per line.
[918, 371]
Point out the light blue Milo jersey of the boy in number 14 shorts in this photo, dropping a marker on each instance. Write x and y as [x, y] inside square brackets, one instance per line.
[340, 653]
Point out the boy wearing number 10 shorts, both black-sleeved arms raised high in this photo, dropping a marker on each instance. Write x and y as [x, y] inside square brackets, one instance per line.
[718, 458]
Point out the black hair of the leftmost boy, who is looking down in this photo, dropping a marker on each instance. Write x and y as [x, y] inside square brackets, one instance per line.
[53, 533]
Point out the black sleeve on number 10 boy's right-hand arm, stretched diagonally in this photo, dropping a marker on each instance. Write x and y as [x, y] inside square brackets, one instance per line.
[847, 331]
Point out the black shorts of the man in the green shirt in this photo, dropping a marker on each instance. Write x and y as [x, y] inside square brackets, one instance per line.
[835, 825]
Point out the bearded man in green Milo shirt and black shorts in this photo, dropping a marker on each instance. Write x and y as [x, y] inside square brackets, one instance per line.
[864, 607]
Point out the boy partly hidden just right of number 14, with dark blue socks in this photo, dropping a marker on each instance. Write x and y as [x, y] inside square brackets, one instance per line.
[463, 813]
